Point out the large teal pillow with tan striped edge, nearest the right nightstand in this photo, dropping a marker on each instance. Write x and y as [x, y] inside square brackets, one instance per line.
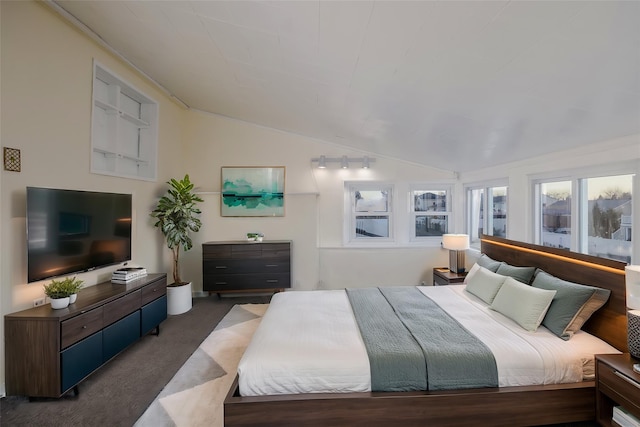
[572, 306]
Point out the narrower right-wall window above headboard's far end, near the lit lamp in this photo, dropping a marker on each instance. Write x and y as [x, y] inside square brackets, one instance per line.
[493, 222]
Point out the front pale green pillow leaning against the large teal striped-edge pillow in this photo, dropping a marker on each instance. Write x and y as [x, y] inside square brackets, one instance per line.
[522, 303]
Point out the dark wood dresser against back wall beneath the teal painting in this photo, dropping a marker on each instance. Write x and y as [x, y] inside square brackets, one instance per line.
[242, 266]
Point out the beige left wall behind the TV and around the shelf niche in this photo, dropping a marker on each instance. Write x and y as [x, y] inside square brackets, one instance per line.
[46, 113]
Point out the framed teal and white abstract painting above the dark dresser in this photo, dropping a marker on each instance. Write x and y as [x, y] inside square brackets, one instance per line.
[252, 191]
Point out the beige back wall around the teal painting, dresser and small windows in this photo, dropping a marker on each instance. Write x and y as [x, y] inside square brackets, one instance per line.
[314, 204]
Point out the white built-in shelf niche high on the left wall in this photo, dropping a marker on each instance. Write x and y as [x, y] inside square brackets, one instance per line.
[124, 128]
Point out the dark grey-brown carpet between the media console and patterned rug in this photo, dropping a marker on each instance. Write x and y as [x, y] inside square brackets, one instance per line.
[118, 393]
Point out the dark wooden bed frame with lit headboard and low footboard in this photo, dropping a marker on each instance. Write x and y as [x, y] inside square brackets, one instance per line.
[502, 406]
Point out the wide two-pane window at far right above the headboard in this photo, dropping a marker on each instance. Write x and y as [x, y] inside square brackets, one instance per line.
[597, 220]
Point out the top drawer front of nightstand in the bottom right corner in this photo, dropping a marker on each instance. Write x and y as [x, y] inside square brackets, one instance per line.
[621, 388]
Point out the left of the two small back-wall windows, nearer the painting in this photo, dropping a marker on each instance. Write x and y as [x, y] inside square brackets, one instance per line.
[370, 212]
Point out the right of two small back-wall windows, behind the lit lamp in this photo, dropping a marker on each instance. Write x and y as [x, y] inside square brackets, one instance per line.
[430, 212]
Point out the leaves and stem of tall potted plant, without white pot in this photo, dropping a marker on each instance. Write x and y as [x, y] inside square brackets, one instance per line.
[177, 216]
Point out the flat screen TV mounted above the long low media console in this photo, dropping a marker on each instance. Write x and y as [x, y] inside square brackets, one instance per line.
[70, 231]
